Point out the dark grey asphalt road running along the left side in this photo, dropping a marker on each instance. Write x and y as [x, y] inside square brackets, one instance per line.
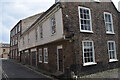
[13, 70]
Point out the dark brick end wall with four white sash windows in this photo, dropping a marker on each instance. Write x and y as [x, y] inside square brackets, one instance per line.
[99, 36]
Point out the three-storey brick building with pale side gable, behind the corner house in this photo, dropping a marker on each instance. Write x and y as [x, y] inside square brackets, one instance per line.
[15, 33]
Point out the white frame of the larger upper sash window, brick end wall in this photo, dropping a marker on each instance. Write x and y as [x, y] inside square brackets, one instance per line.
[88, 31]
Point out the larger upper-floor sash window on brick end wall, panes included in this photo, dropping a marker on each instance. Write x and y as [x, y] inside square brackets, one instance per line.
[85, 19]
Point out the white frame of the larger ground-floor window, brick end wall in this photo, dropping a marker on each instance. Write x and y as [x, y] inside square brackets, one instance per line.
[89, 63]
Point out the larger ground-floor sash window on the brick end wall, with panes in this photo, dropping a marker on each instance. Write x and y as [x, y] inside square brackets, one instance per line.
[88, 53]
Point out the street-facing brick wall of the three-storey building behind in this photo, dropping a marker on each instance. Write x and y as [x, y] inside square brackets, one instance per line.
[14, 41]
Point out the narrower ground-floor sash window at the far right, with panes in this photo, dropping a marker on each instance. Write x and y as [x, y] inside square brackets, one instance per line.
[112, 51]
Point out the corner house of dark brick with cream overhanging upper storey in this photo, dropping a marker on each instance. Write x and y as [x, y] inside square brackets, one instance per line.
[73, 37]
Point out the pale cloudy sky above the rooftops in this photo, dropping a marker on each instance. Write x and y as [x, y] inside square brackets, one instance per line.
[14, 10]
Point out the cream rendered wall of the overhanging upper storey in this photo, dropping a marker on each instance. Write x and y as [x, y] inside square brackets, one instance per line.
[47, 37]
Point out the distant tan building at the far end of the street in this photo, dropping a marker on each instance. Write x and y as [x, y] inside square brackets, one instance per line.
[4, 50]
